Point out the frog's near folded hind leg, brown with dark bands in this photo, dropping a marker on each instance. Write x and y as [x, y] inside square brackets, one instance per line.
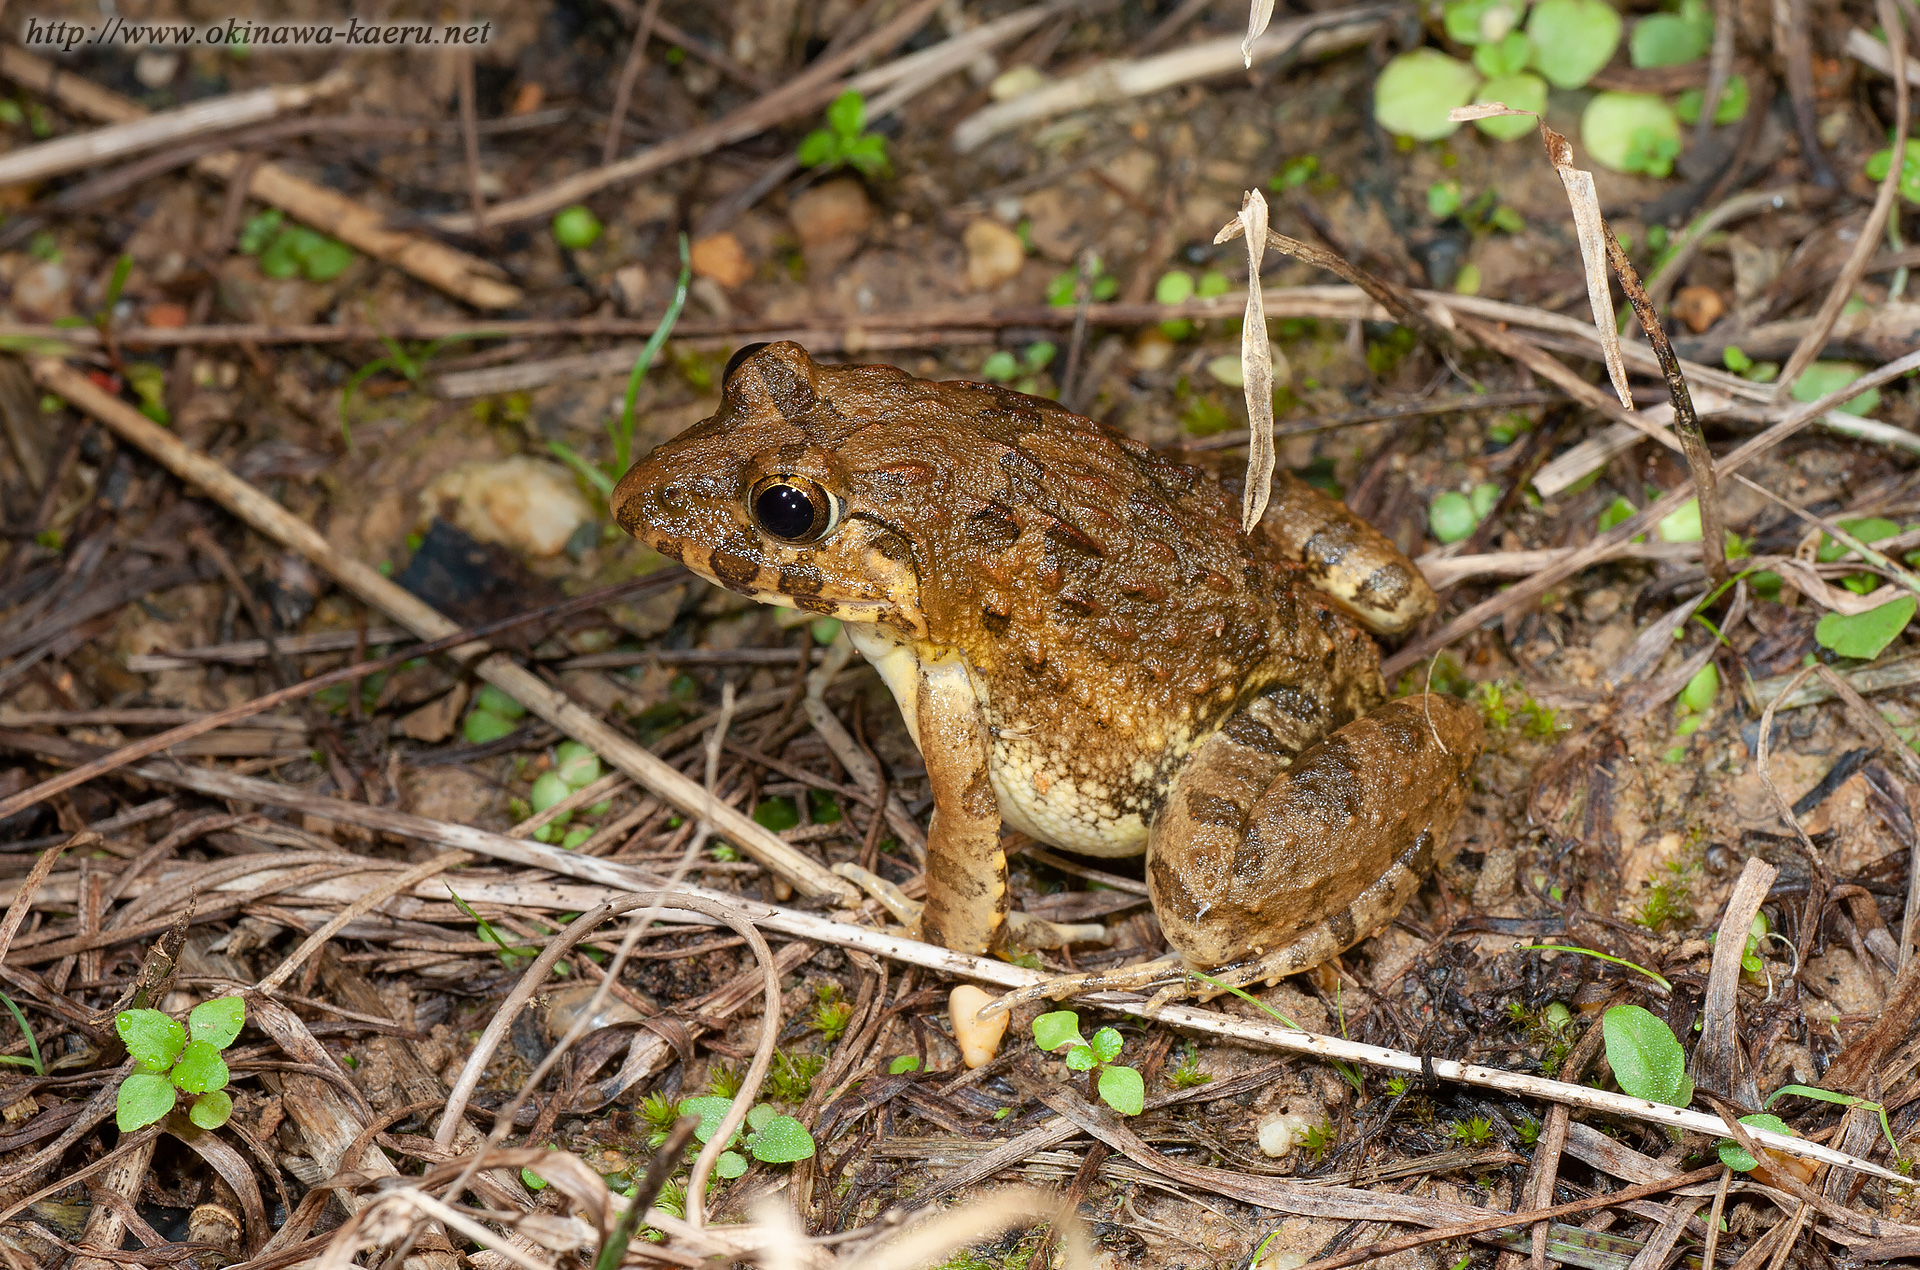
[1253, 858]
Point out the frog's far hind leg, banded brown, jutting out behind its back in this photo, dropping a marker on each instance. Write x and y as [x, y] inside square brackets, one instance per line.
[1347, 558]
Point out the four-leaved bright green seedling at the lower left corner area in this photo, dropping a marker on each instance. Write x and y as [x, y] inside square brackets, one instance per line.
[172, 1060]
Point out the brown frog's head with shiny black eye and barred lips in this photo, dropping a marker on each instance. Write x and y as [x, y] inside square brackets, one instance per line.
[761, 501]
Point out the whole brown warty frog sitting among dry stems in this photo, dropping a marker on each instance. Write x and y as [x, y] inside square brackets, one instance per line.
[1088, 650]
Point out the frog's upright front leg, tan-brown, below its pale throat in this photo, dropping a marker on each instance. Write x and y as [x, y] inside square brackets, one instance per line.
[967, 867]
